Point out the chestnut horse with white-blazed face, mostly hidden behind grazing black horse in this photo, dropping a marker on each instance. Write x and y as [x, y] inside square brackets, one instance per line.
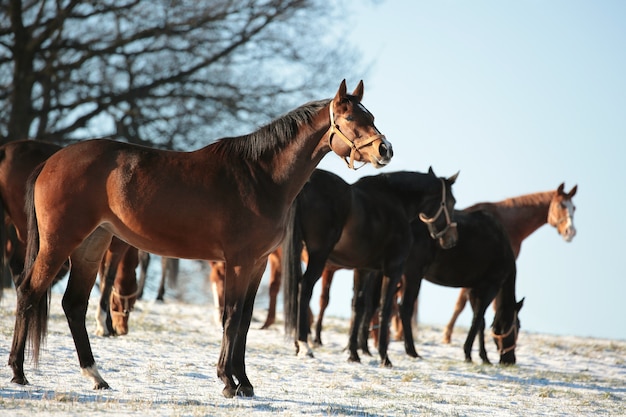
[522, 216]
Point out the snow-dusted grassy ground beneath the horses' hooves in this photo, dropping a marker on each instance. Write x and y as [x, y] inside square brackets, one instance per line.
[166, 366]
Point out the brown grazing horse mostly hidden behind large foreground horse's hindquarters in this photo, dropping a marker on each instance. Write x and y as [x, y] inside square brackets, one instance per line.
[18, 159]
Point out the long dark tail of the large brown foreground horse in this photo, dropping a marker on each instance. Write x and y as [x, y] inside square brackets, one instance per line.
[37, 311]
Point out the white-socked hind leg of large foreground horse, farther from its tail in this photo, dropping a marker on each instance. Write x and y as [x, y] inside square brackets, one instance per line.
[85, 264]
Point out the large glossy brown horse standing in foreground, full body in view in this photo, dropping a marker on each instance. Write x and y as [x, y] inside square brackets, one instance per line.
[93, 190]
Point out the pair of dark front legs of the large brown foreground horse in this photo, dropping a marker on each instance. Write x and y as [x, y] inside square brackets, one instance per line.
[238, 304]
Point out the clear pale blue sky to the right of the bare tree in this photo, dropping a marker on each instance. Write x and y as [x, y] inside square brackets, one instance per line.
[518, 96]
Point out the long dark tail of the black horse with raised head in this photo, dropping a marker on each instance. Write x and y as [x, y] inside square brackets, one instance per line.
[291, 268]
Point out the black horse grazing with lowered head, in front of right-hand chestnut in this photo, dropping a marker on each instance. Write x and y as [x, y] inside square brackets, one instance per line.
[482, 260]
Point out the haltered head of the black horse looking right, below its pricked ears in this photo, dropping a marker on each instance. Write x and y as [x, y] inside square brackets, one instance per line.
[441, 225]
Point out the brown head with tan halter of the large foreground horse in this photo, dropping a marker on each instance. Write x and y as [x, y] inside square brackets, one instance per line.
[352, 133]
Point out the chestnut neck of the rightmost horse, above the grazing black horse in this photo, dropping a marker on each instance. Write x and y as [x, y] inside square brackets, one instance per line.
[520, 216]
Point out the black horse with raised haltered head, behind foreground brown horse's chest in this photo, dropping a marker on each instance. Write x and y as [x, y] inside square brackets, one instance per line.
[365, 225]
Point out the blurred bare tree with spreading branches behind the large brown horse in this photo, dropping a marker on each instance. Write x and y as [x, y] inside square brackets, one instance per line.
[167, 73]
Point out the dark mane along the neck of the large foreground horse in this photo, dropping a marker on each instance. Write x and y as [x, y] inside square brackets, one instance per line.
[271, 137]
